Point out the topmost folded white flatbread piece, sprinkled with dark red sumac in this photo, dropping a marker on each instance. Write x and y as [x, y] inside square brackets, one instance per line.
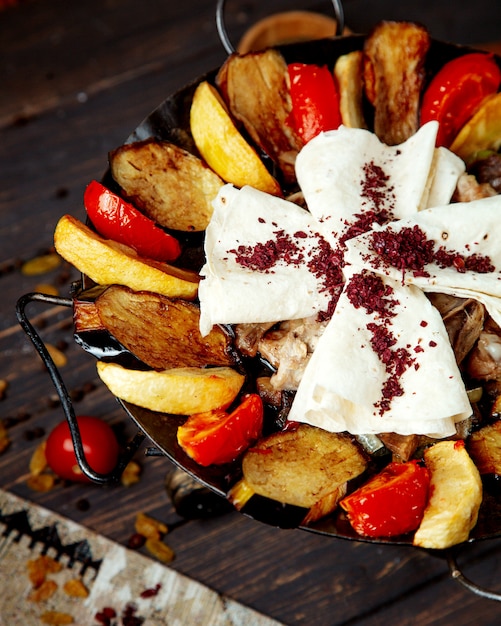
[348, 172]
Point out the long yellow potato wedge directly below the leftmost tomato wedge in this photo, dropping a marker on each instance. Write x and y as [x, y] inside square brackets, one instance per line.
[107, 262]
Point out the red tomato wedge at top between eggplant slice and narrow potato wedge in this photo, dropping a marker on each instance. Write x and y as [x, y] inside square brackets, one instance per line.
[315, 100]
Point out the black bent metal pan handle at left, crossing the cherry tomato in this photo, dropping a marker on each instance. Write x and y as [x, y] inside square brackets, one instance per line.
[66, 403]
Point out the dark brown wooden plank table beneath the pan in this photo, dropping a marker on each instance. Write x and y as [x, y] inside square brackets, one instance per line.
[76, 78]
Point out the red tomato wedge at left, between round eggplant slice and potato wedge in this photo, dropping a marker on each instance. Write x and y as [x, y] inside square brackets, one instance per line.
[120, 221]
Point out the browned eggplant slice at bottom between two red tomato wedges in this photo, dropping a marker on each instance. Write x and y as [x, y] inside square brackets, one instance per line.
[305, 467]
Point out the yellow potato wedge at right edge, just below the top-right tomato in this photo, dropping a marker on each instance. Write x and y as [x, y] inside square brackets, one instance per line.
[481, 132]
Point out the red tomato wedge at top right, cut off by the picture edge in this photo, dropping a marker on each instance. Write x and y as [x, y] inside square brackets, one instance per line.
[457, 90]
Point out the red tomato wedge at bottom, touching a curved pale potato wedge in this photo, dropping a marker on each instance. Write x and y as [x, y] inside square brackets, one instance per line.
[391, 503]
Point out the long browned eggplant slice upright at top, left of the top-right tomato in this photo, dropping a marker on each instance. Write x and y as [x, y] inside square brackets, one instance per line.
[394, 56]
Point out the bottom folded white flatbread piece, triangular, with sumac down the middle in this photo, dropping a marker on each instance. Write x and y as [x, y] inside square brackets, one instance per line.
[341, 389]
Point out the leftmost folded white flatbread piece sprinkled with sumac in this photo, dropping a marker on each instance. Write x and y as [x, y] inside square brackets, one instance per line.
[231, 293]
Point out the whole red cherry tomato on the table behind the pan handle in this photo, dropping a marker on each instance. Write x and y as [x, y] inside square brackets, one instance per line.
[99, 444]
